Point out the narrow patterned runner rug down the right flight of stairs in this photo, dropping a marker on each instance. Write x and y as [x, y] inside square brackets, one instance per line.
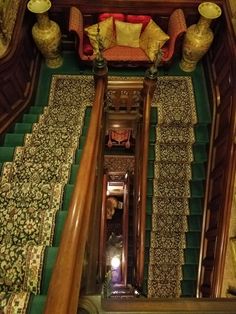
[174, 99]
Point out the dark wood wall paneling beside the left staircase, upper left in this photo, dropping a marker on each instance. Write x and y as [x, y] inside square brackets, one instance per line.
[18, 69]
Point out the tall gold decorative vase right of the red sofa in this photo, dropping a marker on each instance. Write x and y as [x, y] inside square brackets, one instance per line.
[199, 37]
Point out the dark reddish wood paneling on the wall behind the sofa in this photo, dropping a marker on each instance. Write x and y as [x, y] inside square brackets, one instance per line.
[160, 10]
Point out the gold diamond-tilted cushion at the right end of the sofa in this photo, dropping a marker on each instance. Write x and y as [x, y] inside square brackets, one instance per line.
[152, 39]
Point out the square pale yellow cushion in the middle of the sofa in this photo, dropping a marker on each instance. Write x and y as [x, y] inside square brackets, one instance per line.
[127, 34]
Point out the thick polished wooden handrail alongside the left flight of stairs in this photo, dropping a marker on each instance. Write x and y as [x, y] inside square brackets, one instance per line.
[64, 289]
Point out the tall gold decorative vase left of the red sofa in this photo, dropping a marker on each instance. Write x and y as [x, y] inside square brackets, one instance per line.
[46, 33]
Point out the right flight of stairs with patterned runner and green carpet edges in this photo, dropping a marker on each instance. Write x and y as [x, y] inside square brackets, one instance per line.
[176, 176]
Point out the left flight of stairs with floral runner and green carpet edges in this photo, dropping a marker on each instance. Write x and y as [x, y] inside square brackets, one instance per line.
[39, 161]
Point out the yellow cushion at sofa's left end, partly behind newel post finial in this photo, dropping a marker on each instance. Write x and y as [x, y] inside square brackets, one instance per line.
[106, 34]
